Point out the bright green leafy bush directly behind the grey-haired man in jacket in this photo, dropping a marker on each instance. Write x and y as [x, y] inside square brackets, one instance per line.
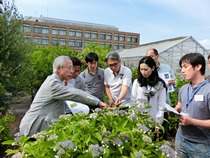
[39, 65]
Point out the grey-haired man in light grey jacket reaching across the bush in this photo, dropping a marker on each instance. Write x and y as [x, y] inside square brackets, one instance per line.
[49, 102]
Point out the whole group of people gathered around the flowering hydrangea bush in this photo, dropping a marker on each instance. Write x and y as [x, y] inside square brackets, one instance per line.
[69, 91]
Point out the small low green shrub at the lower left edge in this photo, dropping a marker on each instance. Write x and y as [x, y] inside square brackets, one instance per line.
[5, 122]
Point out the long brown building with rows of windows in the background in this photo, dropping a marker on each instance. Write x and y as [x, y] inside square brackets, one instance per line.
[51, 31]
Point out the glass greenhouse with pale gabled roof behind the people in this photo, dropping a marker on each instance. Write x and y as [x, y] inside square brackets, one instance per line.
[170, 51]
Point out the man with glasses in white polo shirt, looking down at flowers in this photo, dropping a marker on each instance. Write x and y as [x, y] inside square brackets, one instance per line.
[117, 80]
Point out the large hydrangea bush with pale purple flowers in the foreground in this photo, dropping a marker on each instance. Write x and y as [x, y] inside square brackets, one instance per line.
[110, 133]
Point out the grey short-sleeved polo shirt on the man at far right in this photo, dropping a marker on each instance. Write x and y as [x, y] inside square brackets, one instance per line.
[199, 108]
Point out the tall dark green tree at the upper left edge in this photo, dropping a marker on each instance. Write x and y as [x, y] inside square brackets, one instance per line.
[12, 50]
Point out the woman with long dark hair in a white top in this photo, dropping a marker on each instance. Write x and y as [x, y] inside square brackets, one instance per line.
[149, 87]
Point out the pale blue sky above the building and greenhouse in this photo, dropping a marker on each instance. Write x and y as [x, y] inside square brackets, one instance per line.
[154, 20]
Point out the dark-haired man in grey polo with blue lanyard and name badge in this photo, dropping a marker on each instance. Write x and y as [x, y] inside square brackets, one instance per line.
[193, 134]
